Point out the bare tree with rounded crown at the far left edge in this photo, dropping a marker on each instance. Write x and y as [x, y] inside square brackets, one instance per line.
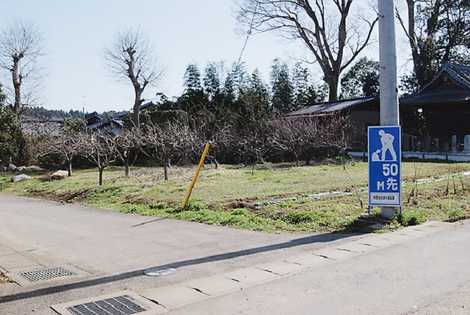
[20, 47]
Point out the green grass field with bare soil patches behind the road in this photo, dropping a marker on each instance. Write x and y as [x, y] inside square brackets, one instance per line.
[273, 198]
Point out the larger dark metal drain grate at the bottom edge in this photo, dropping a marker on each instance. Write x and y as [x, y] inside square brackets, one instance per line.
[121, 305]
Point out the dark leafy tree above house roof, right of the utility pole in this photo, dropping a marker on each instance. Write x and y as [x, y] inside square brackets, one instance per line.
[438, 31]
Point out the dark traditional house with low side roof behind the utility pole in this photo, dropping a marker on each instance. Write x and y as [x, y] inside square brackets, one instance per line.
[435, 119]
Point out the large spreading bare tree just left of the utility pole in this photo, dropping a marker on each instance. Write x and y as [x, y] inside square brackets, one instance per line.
[323, 26]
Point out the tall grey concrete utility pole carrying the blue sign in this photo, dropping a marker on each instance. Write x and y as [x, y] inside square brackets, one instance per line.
[389, 110]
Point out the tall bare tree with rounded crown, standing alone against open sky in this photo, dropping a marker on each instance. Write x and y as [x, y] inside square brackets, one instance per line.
[131, 58]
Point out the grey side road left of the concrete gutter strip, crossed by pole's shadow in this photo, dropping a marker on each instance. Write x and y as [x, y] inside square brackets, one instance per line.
[109, 251]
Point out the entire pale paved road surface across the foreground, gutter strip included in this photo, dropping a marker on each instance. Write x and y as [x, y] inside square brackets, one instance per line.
[422, 270]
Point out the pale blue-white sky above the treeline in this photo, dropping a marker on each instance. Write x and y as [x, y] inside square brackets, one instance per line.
[182, 31]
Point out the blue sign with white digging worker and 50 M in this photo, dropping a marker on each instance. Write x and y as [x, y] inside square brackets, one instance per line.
[385, 166]
